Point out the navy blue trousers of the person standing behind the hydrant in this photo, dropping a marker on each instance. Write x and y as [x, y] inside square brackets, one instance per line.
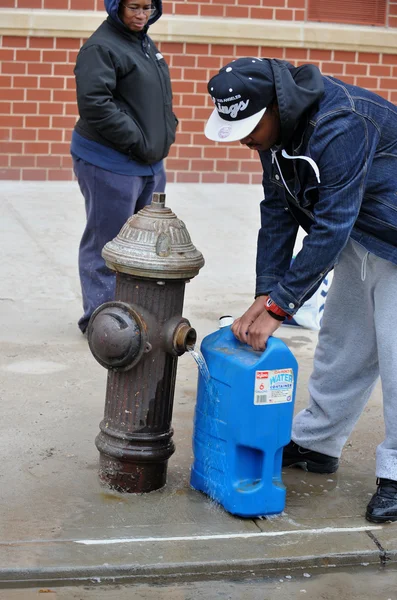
[110, 199]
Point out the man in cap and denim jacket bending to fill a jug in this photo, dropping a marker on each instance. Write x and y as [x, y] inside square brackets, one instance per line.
[329, 157]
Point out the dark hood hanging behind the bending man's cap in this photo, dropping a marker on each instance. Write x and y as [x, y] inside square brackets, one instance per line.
[297, 89]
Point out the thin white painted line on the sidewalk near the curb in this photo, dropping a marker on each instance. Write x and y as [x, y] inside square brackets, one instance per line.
[225, 536]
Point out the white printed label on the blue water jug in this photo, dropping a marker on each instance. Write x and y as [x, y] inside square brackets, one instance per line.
[273, 387]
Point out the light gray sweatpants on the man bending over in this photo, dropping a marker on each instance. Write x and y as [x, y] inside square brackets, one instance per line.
[357, 344]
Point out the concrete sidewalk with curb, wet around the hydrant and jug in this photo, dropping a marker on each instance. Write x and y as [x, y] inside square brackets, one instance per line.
[57, 524]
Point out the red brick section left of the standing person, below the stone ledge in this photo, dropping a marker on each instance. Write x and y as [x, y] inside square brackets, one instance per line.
[37, 107]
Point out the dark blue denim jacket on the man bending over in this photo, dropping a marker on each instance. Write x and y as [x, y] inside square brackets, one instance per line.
[337, 179]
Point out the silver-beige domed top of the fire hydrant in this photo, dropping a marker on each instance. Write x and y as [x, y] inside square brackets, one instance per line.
[154, 243]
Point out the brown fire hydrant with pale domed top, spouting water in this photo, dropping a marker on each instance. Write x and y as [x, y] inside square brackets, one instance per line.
[138, 338]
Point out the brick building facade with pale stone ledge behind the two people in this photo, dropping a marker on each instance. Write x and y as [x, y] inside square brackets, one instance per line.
[39, 41]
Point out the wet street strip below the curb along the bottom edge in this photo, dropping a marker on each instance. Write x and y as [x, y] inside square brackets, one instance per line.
[357, 584]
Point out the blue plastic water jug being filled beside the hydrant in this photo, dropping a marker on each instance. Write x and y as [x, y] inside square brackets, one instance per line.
[242, 422]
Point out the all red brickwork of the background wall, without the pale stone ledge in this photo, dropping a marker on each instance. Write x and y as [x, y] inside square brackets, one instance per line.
[38, 106]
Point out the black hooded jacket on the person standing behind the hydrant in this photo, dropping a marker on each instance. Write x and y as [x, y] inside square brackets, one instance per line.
[124, 91]
